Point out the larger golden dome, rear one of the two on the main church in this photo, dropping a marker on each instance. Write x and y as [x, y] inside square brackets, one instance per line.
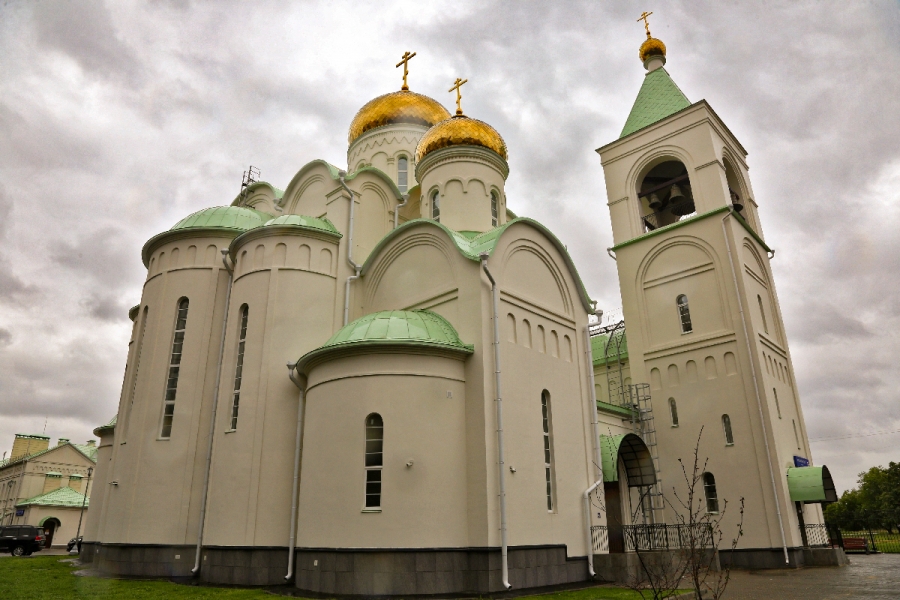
[397, 107]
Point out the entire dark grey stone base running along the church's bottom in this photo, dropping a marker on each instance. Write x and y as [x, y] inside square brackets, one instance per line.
[347, 572]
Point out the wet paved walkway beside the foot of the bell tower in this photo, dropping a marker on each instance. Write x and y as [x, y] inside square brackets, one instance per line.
[876, 576]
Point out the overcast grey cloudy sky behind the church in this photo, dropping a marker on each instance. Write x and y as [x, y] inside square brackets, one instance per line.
[117, 119]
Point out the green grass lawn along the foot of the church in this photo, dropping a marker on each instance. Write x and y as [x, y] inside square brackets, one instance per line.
[48, 577]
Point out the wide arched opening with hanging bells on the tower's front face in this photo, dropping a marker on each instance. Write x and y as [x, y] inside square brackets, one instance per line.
[666, 195]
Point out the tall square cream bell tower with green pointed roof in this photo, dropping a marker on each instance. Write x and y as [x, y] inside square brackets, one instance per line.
[702, 317]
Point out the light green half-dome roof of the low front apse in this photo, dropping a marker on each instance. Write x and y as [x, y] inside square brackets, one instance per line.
[421, 328]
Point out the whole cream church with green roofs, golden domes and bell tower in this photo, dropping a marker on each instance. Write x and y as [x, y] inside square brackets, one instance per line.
[381, 381]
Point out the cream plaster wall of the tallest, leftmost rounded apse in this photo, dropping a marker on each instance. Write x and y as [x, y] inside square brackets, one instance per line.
[159, 479]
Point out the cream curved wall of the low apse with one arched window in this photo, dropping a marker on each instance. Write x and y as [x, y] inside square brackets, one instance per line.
[422, 401]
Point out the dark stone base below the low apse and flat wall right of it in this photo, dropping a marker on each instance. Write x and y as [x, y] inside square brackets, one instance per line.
[434, 571]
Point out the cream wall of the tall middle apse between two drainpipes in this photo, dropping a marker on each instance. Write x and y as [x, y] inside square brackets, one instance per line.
[289, 292]
